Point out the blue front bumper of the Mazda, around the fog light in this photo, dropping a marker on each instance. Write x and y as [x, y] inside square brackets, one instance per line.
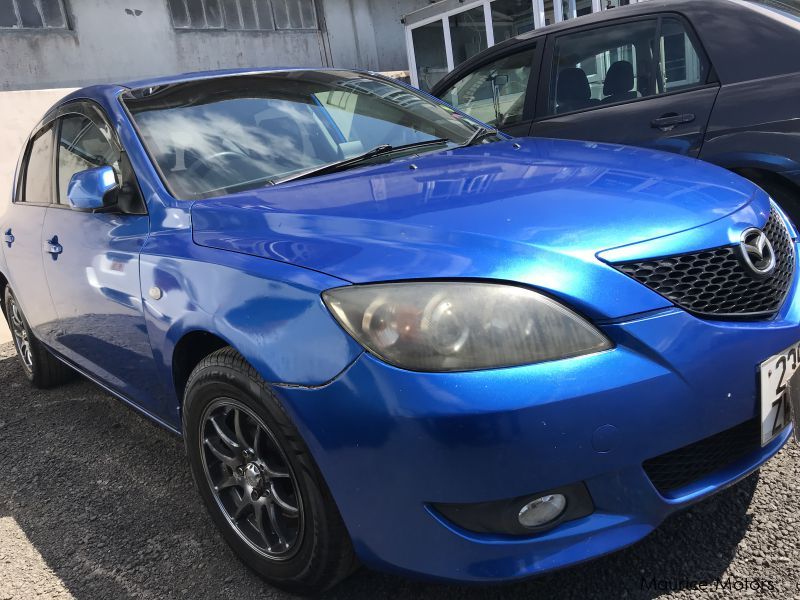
[391, 442]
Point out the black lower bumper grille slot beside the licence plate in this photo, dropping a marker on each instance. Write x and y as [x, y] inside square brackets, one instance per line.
[691, 463]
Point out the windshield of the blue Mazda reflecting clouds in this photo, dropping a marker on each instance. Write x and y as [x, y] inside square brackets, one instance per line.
[215, 136]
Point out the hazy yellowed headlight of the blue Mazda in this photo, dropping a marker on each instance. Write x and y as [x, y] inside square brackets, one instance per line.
[460, 326]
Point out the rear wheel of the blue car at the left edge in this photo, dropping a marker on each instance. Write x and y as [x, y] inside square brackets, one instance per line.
[41, 368]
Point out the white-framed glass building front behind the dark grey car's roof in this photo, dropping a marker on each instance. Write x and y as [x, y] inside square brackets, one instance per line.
[446, 33]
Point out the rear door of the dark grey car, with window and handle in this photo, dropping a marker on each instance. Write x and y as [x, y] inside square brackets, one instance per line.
[644, 81]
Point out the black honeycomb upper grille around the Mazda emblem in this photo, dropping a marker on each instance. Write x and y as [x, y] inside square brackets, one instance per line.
[716, 283]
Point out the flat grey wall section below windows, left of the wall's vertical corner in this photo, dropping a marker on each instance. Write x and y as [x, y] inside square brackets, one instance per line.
[108, 44]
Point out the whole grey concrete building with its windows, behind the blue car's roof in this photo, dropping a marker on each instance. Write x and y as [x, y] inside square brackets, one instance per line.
[71, 43]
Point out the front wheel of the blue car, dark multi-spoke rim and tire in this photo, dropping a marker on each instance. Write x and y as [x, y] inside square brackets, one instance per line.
[230, 412]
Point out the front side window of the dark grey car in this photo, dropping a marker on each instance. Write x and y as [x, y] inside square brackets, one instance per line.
[498, 91]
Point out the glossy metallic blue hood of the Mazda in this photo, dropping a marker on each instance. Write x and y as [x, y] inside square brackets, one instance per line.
[533, 211]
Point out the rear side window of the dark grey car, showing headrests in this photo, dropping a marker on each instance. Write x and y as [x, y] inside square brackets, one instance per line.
[623, 62]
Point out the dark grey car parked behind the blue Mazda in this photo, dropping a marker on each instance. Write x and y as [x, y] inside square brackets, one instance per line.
[718, 80]
